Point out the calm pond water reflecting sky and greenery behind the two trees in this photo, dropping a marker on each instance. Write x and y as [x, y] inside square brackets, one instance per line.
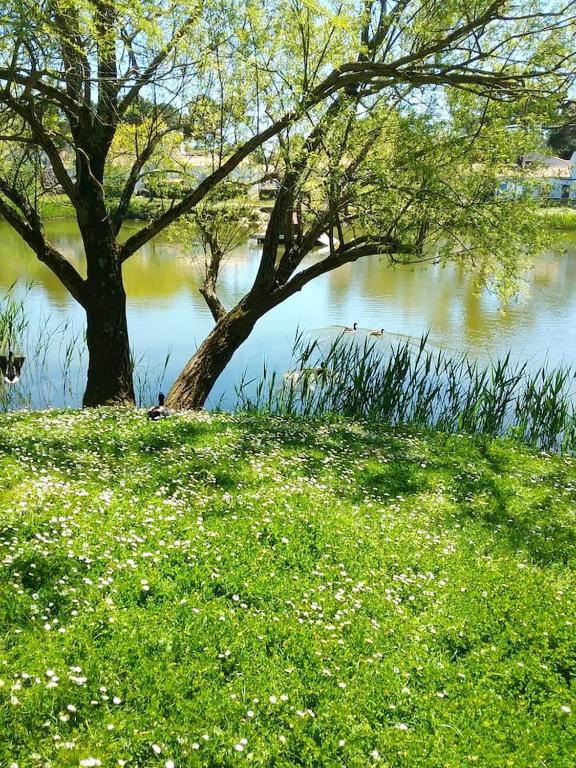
[166, 314]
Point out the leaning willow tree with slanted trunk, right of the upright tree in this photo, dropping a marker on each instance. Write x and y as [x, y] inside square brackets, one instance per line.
[405, 160]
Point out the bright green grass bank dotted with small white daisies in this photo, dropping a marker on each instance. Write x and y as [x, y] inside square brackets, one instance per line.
[218, 590]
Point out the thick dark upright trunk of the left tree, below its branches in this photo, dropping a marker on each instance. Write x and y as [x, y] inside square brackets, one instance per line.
[109, 363]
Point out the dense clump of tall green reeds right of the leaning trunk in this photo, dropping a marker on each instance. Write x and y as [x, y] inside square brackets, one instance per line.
[407, 382]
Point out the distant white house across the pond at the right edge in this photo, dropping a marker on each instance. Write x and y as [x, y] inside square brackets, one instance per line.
[544, 176]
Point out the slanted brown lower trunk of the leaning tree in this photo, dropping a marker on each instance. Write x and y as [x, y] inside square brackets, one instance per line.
[195, 382]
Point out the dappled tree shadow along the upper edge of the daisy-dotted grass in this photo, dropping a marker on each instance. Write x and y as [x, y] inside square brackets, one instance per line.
[488, 482]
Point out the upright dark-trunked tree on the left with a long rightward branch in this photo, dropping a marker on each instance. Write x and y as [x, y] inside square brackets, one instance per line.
[73, 73]
